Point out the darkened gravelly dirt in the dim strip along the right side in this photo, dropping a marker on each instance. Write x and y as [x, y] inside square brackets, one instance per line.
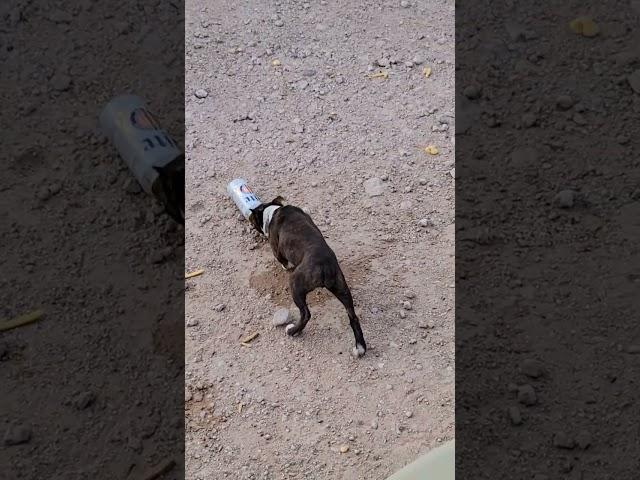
[547, 220]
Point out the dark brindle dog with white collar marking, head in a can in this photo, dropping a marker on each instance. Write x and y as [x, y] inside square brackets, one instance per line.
[299, 246]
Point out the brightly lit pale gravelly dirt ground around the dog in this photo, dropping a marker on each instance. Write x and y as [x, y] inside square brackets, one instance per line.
[278, 93]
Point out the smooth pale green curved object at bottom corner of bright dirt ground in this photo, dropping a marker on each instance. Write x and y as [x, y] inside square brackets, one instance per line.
[438, 464]
